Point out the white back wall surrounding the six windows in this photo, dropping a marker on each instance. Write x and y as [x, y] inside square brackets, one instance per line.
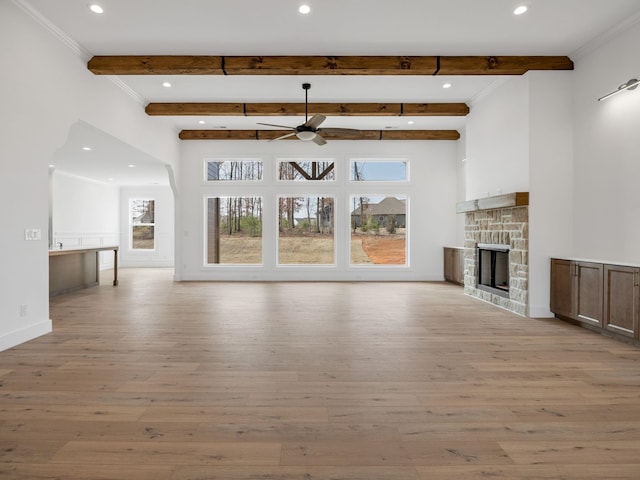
[432, 200]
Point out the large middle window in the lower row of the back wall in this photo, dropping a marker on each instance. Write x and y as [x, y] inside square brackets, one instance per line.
[305, 230]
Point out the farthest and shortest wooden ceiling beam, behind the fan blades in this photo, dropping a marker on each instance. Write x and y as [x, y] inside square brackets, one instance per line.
[362, 135]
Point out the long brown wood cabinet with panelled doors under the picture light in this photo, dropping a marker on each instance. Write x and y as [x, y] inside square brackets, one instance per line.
[605, 296]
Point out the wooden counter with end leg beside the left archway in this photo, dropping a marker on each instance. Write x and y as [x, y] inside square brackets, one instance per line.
[73, 269]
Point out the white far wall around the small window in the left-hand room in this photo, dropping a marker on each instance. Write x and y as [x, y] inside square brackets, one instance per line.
[163, 253]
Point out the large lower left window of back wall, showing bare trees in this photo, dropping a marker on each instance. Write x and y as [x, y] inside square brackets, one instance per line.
[234, 230]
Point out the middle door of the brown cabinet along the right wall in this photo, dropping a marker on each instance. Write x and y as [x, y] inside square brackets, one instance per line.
[588, 293]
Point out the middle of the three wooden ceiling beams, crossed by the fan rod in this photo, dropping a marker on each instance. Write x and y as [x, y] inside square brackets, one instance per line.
[294, 109]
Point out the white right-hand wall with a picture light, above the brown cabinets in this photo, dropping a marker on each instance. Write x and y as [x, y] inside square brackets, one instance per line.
[607, 152]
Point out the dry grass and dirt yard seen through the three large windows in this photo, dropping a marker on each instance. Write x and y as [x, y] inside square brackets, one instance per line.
[312, 250]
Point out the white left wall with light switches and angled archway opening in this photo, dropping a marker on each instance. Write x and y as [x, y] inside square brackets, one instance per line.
[46, 89]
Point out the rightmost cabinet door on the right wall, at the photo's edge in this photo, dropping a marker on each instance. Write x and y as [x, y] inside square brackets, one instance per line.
[621, 297]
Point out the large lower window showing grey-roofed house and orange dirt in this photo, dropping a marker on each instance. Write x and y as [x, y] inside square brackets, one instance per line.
[378, 230]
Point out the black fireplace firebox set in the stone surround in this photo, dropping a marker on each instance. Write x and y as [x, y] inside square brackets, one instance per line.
[493, 268]
